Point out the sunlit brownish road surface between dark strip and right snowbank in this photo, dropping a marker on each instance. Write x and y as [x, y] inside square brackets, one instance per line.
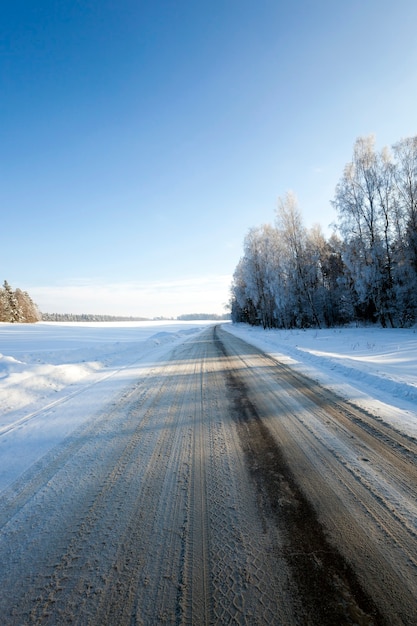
[361, 484]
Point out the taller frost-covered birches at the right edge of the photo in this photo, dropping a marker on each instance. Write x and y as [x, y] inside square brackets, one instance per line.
[376, 202]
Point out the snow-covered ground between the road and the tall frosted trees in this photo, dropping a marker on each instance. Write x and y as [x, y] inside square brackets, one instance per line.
[374, 367]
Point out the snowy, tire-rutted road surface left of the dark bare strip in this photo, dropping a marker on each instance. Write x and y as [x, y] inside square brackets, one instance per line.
[150, 514]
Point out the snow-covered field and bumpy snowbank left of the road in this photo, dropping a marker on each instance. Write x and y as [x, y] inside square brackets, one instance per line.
[55, 376]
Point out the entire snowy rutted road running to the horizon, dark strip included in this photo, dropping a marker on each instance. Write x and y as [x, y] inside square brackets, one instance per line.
[219, 488]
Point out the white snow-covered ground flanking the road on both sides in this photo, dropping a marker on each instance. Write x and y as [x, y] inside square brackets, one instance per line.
[54, 376]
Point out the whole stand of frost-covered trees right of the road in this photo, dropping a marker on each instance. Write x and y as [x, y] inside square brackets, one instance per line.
[293, 277]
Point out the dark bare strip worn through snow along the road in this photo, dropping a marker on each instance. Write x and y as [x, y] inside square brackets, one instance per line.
[328, 586]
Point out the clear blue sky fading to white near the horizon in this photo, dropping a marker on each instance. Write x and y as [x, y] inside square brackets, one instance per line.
[140, 140]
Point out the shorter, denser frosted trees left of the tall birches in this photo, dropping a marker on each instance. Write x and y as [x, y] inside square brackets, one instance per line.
[287, 275]
